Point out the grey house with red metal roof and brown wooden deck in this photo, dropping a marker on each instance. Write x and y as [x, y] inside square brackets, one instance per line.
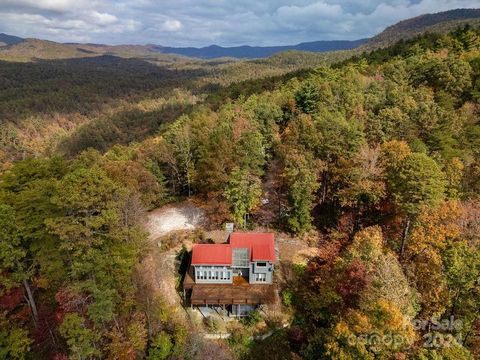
[237, 276]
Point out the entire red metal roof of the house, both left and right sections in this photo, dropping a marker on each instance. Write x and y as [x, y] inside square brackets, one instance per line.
[261, 247]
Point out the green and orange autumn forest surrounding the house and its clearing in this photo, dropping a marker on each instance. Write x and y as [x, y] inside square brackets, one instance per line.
[377, 163]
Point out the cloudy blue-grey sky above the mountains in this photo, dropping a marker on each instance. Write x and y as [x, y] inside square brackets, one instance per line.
[206, 22]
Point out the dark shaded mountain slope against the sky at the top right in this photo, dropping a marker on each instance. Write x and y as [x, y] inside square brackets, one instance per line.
[439, 23]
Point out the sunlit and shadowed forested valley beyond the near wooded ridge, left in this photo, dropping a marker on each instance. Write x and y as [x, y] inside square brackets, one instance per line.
[57, 104]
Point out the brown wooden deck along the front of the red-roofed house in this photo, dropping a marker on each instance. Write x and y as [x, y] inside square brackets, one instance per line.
[240, 292]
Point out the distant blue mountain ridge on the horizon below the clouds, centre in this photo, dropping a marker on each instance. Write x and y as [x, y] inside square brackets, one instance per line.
[214, 51]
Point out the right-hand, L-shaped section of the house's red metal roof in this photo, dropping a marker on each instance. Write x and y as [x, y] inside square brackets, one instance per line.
[261, 245]
